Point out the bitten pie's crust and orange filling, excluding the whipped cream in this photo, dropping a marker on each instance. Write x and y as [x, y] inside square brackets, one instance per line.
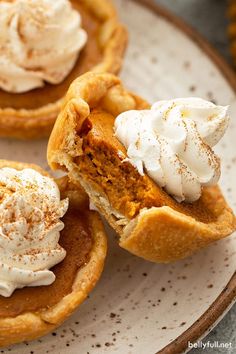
[150, 223]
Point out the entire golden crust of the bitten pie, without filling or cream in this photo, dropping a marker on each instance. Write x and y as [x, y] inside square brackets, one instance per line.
[159, 234]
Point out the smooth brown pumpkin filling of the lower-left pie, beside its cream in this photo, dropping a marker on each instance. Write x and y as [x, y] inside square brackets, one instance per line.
[77, 240]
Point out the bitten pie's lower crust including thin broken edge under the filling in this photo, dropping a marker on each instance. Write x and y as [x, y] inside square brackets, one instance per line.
[163, 235]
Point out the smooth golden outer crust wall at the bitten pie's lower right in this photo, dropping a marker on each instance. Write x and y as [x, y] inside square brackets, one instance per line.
[164, 235]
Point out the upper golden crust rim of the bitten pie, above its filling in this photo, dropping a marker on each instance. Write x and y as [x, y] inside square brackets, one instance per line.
[87, 89]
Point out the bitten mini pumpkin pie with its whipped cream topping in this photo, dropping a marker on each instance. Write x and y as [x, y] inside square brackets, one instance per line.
[150, 171]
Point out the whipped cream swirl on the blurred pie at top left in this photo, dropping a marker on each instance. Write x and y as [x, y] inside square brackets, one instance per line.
[40, 41]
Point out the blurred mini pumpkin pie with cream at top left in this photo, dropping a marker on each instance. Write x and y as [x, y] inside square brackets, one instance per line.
[44, 46]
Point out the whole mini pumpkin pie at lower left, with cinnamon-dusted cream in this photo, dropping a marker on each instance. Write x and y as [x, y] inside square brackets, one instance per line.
[42, 281]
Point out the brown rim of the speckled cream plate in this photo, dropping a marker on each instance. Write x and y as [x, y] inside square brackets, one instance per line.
[203, 325]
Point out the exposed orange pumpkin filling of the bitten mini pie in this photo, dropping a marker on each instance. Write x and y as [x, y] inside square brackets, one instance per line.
[103, 164]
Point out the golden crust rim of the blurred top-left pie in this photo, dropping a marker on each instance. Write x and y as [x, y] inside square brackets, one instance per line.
[38, 123]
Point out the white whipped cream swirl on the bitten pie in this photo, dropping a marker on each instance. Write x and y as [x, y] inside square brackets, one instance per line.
[172, 142]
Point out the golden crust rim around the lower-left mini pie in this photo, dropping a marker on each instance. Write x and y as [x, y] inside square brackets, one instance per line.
[31, 325]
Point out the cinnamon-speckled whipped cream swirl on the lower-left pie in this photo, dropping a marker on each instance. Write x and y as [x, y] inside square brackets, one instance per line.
[30, 212]
